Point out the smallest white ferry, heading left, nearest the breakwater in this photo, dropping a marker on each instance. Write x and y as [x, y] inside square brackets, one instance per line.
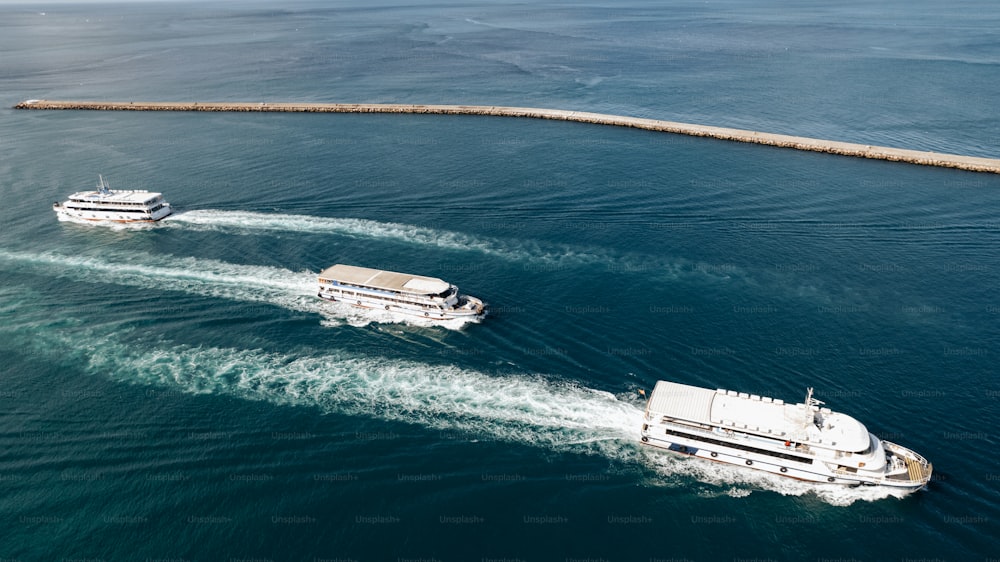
[103, 204]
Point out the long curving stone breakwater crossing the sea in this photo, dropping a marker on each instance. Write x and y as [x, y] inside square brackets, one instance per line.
[970, 163]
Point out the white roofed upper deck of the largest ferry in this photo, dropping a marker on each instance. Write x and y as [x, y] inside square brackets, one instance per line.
[759, 415]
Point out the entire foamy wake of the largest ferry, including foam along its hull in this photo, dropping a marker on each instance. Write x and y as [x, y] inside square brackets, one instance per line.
[465, 404]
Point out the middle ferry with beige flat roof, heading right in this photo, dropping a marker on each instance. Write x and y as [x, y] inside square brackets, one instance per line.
[427, 297]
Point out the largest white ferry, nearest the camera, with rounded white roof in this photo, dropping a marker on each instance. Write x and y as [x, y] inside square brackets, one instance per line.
[803, 441]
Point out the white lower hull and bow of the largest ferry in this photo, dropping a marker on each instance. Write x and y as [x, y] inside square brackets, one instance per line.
[785, 462]
